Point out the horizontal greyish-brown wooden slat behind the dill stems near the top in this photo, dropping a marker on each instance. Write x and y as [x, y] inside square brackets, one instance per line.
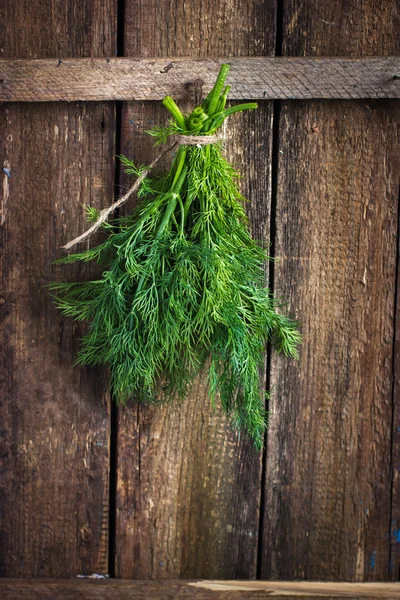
[92, 79]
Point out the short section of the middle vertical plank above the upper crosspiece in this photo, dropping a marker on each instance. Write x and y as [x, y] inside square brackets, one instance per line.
[199, 29]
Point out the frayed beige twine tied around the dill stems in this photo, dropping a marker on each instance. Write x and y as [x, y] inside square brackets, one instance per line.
[182, 140]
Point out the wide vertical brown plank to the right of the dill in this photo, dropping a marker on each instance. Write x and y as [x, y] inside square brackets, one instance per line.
[328, 481]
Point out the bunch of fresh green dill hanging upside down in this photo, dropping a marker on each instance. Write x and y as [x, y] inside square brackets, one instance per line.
[183, 287]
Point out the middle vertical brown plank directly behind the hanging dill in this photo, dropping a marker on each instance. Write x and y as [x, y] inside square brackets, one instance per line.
[188, 489]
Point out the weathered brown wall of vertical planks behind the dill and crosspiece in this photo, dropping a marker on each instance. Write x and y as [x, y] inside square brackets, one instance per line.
[149, 493]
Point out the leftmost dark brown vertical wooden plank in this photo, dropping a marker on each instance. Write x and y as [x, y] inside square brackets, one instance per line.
[54, 416]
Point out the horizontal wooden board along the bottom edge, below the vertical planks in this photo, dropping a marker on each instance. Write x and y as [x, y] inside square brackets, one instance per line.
[117, 589]
